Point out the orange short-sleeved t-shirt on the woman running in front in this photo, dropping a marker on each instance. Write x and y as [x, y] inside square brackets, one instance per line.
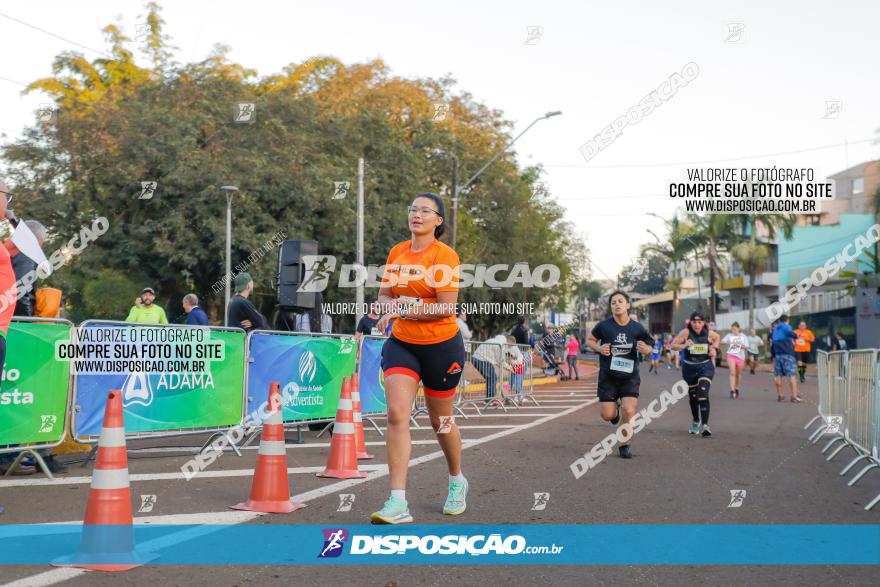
[418, 277]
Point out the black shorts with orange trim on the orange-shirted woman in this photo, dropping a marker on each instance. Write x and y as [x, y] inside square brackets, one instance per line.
[438, 366]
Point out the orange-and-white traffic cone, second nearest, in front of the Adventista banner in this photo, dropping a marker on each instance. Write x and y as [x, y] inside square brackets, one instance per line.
[270, 491]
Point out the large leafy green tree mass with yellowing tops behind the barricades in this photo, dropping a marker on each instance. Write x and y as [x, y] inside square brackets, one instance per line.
[119, 124]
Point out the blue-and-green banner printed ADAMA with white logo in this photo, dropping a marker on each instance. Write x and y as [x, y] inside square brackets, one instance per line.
[163, 398]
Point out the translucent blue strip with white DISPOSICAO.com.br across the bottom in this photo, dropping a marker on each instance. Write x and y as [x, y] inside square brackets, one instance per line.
[283, 544]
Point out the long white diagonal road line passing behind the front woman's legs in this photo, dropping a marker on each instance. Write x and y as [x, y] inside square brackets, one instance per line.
[59, 575]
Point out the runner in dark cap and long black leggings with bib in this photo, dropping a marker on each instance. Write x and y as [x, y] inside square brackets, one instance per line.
[700, 347]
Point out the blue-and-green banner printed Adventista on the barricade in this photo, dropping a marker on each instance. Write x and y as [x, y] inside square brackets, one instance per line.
[309, 370]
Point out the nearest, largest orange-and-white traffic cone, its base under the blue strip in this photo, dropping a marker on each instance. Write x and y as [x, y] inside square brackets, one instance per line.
[107, 542]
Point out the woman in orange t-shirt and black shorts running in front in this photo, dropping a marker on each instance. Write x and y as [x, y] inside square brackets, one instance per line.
[419, 293]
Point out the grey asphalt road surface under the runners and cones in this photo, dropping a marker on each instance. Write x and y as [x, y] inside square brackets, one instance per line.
[758, 445]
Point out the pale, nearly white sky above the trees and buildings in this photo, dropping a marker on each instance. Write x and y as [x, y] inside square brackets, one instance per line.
[765, 94]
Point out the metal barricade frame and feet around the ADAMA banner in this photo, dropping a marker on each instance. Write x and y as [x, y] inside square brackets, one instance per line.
[216, 431]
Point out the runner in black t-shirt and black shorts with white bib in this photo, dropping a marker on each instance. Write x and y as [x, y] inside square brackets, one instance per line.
[619, 341]
